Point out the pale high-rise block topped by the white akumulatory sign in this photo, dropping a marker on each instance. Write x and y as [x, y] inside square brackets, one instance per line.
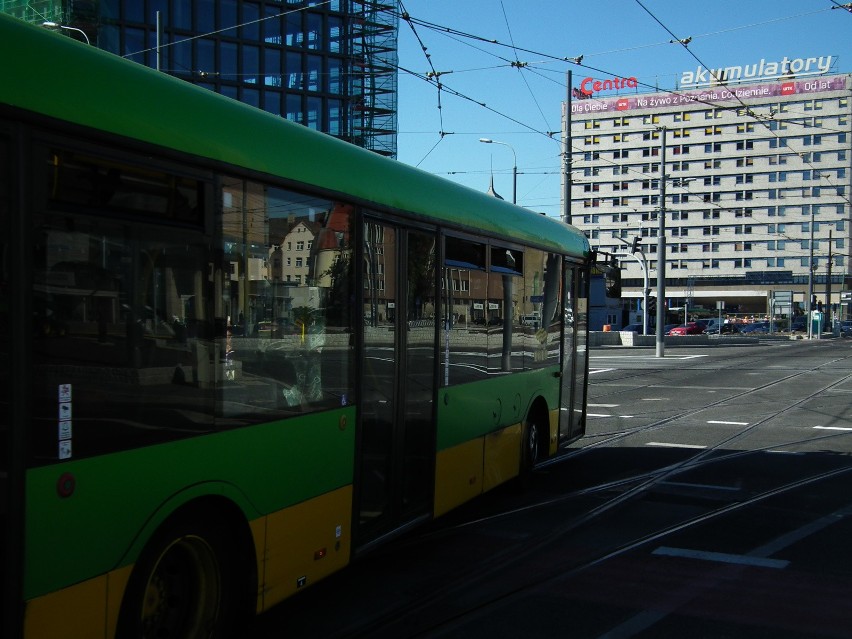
[753, 179]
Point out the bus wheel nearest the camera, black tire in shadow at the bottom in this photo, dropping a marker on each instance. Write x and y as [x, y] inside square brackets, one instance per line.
[190, 582]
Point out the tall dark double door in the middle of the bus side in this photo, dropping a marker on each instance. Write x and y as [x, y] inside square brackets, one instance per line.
[396, 462]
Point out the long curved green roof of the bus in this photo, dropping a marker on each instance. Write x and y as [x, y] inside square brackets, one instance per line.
[54, 75]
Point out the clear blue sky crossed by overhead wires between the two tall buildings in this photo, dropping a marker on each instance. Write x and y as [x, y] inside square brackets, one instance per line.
[617, 38]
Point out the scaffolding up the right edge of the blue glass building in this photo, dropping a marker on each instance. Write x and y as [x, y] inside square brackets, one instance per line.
[373, 77]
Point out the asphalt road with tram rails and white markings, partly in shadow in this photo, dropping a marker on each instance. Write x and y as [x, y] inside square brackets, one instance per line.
[710, 497]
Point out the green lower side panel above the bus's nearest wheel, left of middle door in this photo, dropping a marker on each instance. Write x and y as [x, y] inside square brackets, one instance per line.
[118, 500]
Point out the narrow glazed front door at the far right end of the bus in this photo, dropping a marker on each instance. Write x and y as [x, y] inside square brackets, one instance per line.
[575, 361]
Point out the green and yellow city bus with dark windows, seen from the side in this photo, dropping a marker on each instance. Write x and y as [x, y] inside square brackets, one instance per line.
[240, 353]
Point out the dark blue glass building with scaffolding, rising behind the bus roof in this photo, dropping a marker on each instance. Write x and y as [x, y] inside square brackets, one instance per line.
[330, 65]
